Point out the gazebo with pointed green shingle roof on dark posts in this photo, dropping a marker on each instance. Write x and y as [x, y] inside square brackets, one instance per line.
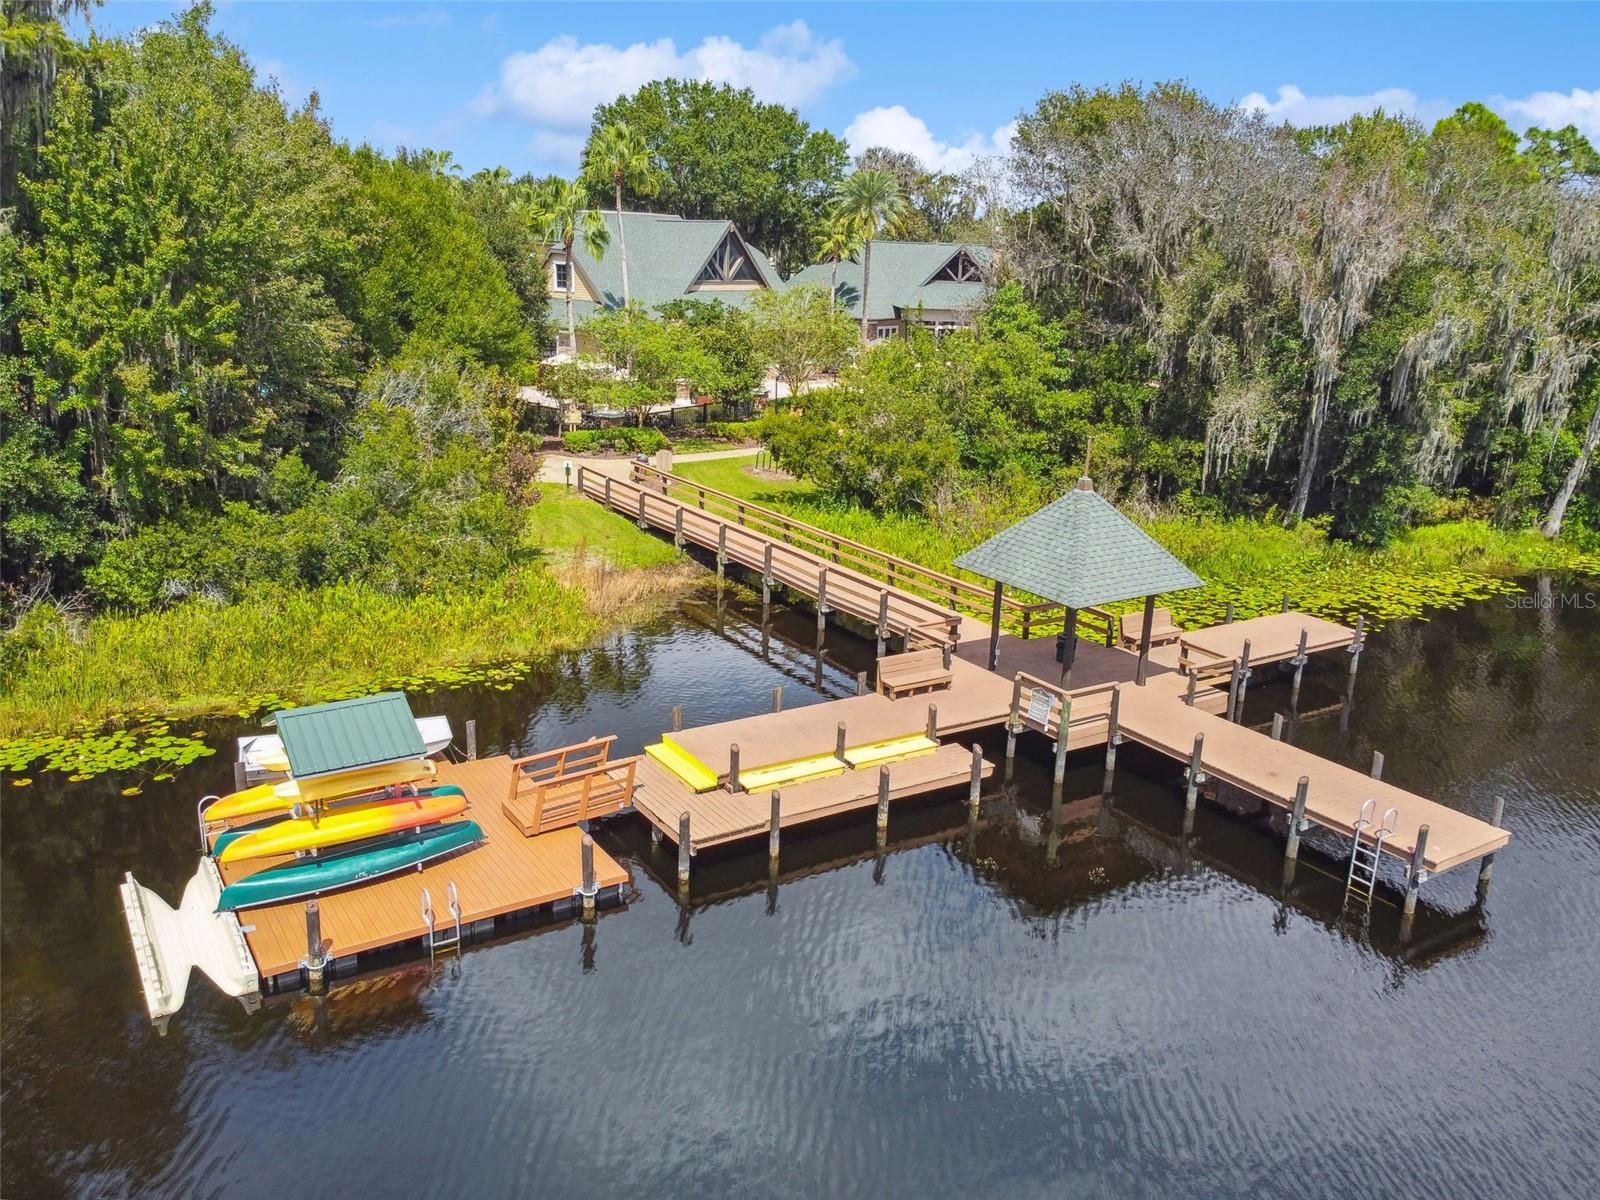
[1081, 553]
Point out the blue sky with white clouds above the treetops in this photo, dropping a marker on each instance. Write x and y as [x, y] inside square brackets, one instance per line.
[514, 84]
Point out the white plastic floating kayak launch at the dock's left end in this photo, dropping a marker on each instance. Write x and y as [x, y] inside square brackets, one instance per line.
[169, 943]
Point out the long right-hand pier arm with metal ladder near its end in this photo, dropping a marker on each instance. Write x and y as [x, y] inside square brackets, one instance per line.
[1254, 762]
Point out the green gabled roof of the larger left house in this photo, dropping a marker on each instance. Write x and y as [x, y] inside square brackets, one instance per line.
[665, 257]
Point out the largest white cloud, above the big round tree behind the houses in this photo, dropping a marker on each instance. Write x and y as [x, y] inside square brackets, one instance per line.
[561, 84]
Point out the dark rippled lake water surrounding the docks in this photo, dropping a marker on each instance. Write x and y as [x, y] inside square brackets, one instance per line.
[1100, 1009]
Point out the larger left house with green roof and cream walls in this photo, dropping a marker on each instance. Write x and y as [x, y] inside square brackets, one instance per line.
[670, 258]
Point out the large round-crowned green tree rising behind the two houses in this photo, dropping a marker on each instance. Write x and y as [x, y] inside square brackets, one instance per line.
[727, 156]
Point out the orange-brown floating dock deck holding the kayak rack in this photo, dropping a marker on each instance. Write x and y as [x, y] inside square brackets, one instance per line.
[506, 873]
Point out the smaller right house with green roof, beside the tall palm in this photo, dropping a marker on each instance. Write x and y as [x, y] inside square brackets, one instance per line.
[932, 284]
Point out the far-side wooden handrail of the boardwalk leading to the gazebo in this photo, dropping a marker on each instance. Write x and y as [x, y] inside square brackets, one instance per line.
[903, 574]
